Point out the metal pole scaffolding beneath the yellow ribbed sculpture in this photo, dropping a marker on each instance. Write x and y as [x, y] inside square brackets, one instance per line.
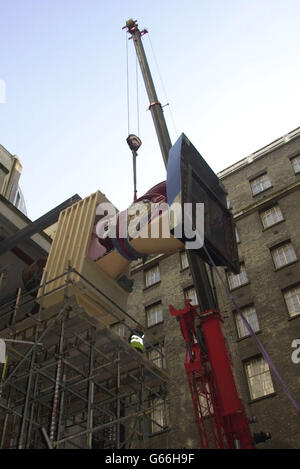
[73, 381]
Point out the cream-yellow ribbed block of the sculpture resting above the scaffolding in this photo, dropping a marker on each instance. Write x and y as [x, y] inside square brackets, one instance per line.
[69, 248]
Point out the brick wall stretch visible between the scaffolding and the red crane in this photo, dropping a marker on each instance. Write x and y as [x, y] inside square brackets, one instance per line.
[159, 282]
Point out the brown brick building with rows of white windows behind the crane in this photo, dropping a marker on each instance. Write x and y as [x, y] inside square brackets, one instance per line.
[264, 194]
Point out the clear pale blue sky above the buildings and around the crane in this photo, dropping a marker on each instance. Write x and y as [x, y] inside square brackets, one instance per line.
[230, 70]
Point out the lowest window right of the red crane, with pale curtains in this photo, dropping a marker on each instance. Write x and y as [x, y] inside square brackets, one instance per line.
[259, 378]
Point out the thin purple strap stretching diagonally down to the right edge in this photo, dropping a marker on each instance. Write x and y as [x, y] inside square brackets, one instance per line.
[258, 342]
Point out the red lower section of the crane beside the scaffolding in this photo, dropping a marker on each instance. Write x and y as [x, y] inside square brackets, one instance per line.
[219, 412]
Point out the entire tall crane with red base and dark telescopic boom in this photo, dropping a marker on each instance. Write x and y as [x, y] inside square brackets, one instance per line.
[219, 412]
